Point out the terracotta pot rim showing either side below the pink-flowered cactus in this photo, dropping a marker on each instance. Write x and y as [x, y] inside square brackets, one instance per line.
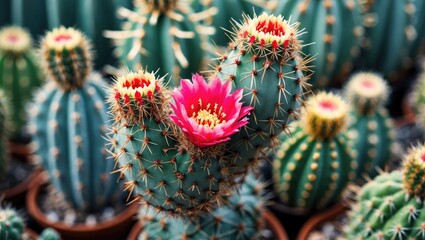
[271, 221]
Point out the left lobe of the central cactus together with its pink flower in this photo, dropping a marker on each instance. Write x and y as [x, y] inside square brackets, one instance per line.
[174, 163]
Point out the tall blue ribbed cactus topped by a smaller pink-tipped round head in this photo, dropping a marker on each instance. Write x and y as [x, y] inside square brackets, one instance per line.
[68, 121]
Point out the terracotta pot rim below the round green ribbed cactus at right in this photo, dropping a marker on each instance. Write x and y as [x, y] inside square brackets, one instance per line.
[320, 218]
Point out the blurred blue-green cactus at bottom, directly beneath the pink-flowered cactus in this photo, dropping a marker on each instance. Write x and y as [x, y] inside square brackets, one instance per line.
[239, 219]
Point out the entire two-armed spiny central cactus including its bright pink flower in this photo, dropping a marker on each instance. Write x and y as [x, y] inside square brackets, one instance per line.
[184, 163]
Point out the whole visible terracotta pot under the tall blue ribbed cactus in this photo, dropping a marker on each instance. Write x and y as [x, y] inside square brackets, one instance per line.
[115, 228]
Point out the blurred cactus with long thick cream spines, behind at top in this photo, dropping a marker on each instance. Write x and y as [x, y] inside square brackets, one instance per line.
[164, 35]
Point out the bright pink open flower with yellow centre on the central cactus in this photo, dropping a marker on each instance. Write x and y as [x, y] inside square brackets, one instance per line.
[208, 114]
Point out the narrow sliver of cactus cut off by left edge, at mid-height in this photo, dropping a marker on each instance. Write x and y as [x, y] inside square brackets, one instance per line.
[4, 133]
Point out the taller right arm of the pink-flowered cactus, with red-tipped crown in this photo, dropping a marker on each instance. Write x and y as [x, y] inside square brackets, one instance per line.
[264, 60]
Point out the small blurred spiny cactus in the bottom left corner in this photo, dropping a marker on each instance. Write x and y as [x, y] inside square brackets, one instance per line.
[11, 224]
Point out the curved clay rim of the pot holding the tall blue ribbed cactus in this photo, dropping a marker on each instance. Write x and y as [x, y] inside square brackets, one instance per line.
[34, 210]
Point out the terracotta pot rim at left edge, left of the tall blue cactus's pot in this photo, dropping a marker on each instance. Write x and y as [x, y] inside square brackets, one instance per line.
[18, 192]
